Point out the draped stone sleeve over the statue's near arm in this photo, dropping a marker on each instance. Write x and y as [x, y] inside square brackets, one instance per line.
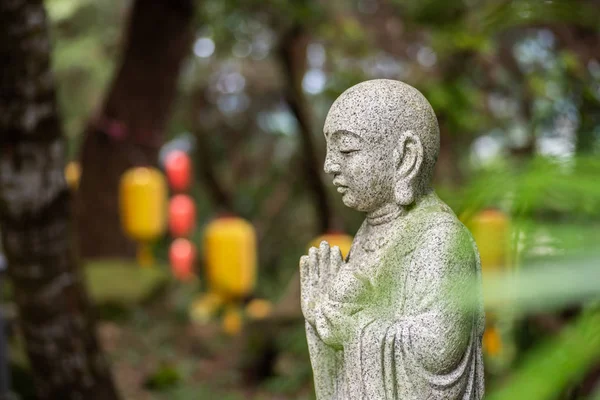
[431, 348]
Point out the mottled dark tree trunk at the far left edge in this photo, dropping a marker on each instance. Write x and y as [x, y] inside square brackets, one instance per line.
[35, 211]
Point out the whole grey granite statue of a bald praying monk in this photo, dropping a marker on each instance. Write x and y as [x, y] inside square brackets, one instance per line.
[401, 318]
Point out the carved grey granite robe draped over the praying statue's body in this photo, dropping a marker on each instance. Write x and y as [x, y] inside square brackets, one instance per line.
[403, 319]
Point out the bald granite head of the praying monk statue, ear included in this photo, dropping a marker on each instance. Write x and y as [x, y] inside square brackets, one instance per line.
[383, 141]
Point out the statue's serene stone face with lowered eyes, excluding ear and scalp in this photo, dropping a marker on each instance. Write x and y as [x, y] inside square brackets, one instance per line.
[362, 169]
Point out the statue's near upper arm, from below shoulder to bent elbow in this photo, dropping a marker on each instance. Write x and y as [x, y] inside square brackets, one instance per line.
[441, 298]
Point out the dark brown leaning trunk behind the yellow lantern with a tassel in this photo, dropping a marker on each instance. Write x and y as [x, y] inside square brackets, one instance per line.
[130, 128]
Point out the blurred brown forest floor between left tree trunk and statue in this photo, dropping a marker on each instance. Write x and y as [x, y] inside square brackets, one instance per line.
[157, 355]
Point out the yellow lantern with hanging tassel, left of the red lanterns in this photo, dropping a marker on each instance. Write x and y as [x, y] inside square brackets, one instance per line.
[143, 198]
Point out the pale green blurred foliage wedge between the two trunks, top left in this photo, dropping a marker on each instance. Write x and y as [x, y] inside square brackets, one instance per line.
[85, 37]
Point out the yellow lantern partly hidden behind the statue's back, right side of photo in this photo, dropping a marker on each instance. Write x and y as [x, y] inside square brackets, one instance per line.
[490, 229]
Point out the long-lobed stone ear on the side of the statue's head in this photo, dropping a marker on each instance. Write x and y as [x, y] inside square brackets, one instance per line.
[408, 160]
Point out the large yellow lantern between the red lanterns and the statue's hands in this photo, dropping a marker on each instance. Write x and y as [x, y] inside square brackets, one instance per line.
[230, 251]
